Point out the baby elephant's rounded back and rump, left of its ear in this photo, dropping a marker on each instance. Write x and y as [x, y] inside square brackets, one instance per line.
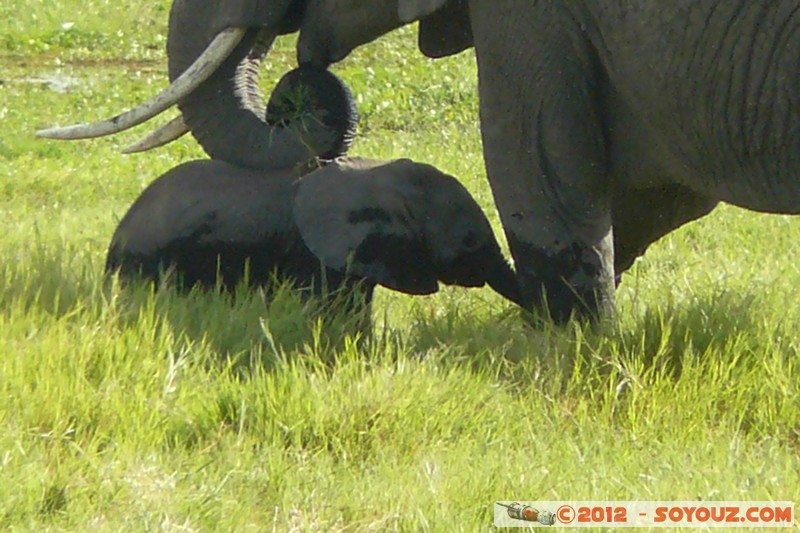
[201, 213]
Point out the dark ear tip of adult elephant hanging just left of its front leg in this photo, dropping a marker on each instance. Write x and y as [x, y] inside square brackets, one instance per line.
[444, 27]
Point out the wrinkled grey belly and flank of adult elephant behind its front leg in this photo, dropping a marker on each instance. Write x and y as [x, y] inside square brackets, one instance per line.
[702, 93]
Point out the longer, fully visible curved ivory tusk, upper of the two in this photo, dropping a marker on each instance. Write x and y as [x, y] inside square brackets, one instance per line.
[203, 67]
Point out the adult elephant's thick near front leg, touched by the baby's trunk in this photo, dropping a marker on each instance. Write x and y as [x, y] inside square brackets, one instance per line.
[545, 153]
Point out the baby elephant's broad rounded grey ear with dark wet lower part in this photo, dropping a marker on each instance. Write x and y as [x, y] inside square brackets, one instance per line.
[358, 216]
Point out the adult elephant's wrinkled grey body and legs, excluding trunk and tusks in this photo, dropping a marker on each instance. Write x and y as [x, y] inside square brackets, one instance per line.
[635, 116]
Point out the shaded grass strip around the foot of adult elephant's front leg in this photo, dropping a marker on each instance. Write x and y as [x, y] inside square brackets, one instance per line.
[724, 326]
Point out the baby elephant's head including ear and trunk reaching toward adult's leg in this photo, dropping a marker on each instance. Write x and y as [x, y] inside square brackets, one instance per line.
[401, 224]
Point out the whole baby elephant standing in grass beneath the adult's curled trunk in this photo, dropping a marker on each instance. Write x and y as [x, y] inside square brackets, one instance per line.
[400, 224]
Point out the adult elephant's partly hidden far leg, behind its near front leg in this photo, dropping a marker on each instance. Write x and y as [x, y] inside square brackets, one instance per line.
[642, 216]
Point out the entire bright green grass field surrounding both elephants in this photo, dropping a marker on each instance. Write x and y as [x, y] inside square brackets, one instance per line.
[128, 410]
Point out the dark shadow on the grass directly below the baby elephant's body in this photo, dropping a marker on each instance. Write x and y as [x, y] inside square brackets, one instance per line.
[251, 327]
